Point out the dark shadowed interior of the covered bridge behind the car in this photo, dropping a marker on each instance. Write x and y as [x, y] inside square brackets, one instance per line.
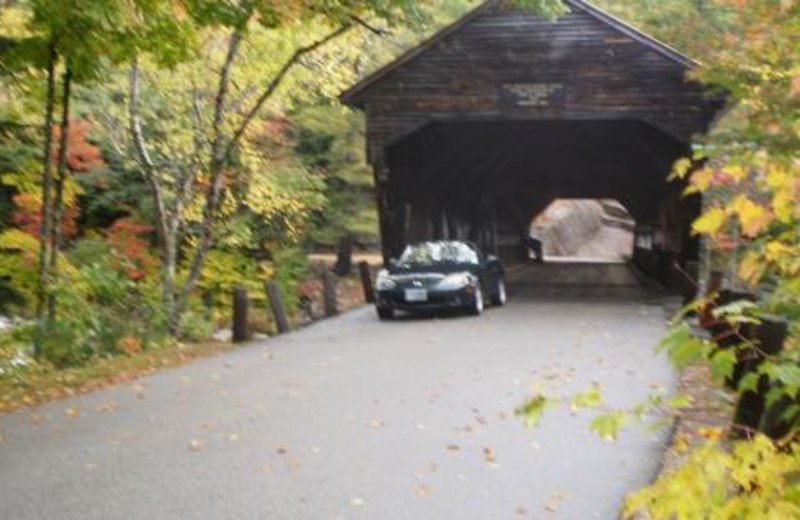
[487, 180]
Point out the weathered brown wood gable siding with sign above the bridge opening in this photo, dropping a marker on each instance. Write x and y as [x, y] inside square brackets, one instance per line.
[507, 63]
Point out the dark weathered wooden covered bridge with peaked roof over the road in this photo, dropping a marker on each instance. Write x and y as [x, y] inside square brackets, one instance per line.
[474, 132]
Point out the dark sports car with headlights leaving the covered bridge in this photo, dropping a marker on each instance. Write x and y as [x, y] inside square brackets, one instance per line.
[434, 276]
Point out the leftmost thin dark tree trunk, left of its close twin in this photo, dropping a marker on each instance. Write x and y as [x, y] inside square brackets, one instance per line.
[47, 181]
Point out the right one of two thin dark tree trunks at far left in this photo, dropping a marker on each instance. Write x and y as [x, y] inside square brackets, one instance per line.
[61, 177]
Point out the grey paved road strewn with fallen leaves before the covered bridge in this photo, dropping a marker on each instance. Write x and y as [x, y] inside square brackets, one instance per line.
[354, 419]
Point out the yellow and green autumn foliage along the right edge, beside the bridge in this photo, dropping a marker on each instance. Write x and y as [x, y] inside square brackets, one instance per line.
[749, 181]
